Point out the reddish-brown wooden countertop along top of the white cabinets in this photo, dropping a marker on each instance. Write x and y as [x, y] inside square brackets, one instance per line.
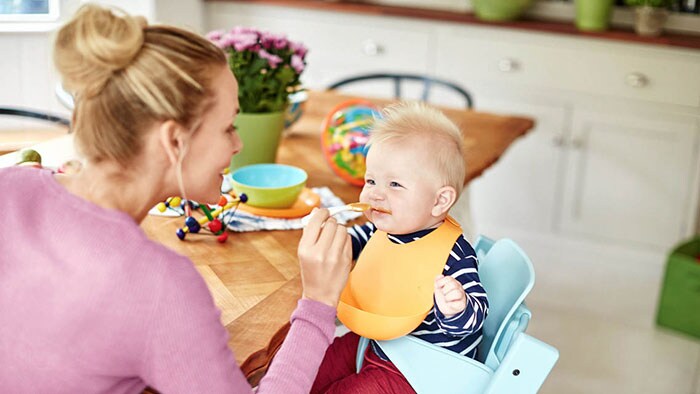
[563, 28]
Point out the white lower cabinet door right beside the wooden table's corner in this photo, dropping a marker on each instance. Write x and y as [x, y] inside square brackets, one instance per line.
[519, 191]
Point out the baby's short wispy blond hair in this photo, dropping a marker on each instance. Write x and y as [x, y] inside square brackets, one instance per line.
[406, 120]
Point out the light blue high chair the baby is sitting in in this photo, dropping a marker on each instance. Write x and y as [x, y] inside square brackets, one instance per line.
[508, 361]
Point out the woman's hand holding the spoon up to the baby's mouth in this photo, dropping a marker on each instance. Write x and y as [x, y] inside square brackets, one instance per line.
[325, 255]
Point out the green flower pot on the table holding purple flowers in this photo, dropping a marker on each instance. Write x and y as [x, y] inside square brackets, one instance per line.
[260, 134]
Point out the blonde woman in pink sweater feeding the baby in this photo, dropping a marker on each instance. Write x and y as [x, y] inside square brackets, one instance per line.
[87, 302]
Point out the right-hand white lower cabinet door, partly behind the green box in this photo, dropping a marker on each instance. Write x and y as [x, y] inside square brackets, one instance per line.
[630, 178]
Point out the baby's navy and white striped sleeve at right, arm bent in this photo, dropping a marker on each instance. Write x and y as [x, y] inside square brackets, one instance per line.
[462, 265]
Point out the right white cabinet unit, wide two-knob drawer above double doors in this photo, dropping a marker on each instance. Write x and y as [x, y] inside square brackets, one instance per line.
[614, 154]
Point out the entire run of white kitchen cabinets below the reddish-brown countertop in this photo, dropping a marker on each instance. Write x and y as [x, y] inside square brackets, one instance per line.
[614, 158]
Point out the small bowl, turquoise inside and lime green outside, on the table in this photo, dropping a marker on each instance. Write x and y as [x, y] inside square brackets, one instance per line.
[274, 186]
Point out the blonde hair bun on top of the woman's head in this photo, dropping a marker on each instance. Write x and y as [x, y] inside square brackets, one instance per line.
[95, 44]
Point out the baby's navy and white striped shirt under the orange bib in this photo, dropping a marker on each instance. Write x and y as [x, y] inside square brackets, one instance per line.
[460, 333]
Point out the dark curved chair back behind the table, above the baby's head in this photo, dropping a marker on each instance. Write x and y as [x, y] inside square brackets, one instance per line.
[398, 79]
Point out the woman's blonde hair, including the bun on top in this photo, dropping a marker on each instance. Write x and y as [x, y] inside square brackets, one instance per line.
[125, 75]
